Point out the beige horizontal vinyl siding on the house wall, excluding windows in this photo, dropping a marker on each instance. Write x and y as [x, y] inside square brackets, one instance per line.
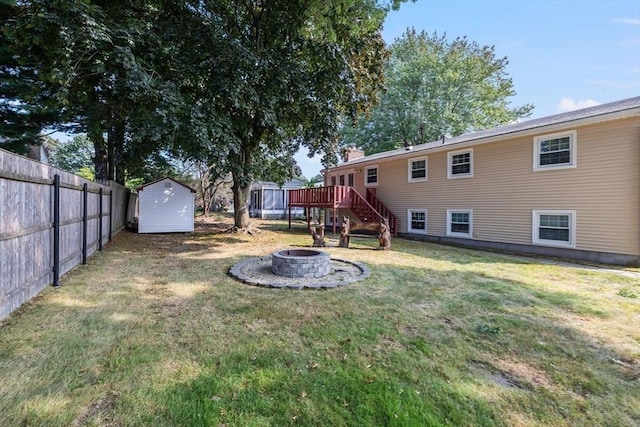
[604, 188]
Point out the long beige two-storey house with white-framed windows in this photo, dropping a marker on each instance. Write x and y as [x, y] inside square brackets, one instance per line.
[566, 185]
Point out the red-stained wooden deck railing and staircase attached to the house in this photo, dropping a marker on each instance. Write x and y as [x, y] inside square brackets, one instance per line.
[367, 209]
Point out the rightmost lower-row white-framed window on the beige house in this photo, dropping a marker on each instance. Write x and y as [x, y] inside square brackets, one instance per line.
[554, 228]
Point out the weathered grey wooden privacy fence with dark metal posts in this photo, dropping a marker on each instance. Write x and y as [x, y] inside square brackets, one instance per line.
[50, 221]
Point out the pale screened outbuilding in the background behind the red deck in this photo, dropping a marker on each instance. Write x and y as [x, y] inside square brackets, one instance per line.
[269, 200]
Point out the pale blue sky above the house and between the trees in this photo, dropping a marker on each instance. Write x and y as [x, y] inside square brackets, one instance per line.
[563, 54]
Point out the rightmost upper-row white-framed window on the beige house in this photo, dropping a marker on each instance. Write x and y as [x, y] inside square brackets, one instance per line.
[554, 151]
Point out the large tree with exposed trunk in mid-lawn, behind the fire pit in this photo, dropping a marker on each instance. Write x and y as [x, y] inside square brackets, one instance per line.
[285, 72]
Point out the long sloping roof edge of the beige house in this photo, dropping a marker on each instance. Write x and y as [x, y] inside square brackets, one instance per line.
[614, 110]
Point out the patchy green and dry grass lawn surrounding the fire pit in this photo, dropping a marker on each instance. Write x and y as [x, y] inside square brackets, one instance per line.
[154, 332]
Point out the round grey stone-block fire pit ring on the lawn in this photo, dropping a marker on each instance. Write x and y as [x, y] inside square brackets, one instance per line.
[301, 263]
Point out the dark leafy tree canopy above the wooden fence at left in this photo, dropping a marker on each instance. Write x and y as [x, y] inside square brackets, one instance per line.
[98, 65]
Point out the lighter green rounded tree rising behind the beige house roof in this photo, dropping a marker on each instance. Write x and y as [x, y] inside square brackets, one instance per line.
[436, 87]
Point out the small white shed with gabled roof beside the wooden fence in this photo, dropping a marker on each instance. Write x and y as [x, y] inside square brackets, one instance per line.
[165, 206]
